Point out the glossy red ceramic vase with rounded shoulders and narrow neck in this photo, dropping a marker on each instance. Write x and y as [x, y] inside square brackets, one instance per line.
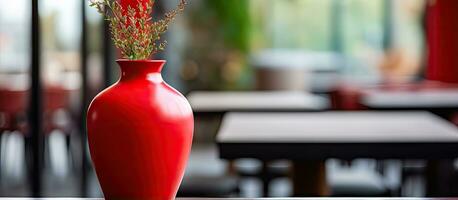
[140, 134]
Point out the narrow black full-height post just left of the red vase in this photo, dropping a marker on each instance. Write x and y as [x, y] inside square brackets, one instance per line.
[84, 99]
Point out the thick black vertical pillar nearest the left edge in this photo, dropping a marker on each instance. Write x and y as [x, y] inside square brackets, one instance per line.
[35, 106]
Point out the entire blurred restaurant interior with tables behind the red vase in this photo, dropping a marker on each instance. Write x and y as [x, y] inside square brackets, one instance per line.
[291, 98]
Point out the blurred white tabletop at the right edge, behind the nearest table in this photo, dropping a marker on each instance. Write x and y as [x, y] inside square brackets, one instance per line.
[433, 98]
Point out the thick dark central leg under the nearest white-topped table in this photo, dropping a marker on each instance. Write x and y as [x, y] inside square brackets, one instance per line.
[309, 179]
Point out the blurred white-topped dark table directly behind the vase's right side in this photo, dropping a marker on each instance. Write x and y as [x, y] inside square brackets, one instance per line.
[210, 106]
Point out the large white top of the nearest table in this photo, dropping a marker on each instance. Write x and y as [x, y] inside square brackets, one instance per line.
[335, 127]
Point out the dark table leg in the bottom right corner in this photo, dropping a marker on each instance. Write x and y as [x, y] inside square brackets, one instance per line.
[439, 178]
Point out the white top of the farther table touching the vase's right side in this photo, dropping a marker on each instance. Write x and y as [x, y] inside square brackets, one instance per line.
[255, 101]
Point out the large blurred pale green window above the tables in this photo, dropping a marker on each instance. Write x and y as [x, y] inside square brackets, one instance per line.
[369, 34]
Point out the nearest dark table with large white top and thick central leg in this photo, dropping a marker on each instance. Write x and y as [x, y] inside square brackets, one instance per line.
[309, 138]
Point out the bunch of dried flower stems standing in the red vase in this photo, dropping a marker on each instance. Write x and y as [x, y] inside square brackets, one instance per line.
[133, 30]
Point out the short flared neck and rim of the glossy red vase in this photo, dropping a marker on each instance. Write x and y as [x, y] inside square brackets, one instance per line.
[141, 69]
